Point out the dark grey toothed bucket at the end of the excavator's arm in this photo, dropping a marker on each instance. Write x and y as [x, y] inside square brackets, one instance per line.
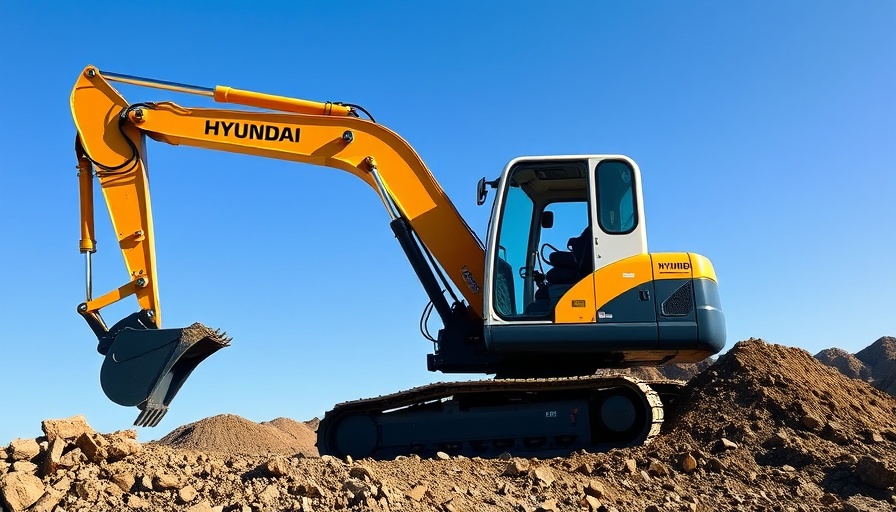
[147, 367]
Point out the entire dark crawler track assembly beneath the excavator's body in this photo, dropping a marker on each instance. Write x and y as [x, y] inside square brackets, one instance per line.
[547, 417]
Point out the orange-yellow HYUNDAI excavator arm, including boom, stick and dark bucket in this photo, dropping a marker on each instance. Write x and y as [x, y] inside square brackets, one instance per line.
[111, 145]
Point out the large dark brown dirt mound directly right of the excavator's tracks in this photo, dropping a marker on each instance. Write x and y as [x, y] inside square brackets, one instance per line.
[781, 386]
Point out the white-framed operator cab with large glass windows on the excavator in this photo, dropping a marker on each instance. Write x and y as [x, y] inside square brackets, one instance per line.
[555, 223]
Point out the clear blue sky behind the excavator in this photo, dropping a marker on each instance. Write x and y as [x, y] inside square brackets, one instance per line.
[765, 132]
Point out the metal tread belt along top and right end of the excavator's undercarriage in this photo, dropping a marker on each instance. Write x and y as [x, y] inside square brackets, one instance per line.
[440, 390]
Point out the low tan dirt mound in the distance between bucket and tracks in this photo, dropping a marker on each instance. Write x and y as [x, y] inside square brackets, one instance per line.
[233, 435]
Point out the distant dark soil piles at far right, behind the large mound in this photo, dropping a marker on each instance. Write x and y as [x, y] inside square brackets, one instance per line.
[876, 363]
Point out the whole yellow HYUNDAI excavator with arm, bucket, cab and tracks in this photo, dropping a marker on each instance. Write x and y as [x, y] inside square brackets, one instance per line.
[563, 289]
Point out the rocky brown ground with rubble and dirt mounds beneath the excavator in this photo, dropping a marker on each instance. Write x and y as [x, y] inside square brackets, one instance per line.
[765, 427]
